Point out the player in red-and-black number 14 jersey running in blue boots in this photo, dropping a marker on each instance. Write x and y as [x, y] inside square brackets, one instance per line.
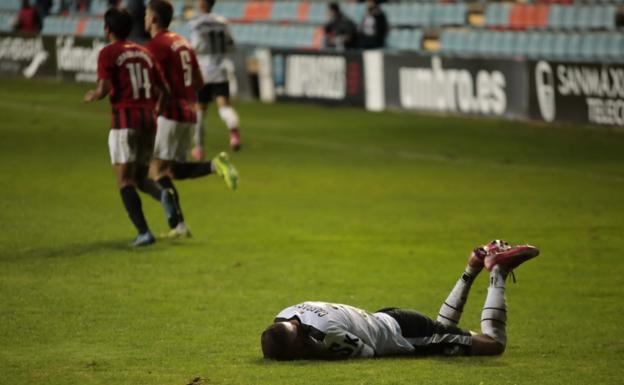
[128, 73]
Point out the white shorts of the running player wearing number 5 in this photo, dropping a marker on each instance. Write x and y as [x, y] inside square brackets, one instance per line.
[173, 139]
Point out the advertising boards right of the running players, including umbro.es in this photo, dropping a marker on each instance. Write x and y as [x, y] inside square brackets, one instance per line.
[586, 93]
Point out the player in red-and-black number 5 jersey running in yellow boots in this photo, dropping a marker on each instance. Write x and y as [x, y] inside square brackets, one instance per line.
[176, 121]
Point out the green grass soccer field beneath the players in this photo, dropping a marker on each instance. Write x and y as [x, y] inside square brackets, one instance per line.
[334, 204]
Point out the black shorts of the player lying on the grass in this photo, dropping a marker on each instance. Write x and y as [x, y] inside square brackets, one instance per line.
[429, 336]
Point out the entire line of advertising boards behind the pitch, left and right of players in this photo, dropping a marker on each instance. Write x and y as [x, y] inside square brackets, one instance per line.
[549, 91]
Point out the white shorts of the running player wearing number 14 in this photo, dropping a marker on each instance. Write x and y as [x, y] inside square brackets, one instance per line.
[127, 145]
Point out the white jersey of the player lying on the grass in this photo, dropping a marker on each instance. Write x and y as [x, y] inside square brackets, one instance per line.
[346, 331]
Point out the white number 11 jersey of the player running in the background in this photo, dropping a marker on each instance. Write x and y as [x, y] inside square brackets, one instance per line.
[211, 39]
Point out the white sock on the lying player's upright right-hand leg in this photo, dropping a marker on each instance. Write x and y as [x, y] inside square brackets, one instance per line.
[494, 314]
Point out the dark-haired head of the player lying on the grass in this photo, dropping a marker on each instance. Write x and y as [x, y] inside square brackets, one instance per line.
[282, 341]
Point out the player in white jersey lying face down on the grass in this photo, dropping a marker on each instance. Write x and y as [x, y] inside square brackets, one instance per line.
[320, 330]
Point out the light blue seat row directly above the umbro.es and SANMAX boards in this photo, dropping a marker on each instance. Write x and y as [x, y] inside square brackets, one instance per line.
[601, 46]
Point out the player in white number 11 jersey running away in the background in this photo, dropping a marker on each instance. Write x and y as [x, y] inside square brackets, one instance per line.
[211, 39]
